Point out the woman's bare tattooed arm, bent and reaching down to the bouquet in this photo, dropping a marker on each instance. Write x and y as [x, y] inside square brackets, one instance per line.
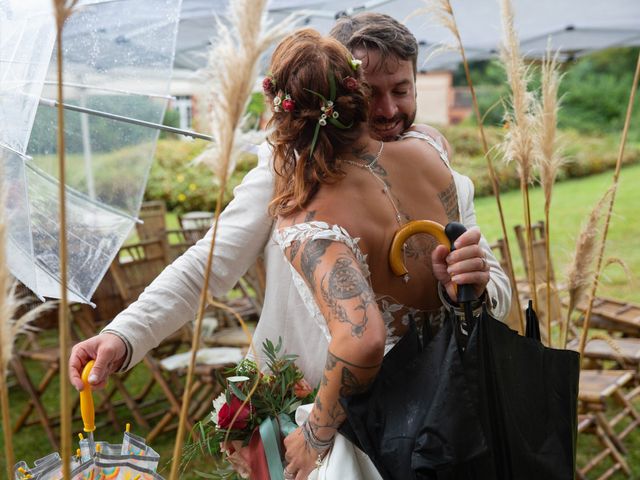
[344, 297]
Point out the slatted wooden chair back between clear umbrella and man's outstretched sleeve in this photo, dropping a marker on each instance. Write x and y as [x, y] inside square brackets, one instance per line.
[136, 266]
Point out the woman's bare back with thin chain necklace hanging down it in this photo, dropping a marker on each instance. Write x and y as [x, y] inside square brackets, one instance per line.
[419, 185]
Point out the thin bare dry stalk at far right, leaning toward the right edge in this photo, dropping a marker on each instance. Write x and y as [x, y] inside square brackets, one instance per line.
[614, 189]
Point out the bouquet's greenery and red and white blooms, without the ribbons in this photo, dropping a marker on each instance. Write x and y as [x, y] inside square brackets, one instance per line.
[249, 397]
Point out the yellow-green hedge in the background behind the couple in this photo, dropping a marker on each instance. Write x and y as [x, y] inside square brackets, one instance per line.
[186, 187]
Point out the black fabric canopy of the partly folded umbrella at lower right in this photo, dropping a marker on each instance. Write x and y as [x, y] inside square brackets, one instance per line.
[505, 409]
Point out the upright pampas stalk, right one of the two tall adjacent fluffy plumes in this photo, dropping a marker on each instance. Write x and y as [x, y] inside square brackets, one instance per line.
[549, 156]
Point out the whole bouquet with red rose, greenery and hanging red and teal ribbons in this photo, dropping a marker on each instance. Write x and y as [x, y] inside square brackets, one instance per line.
[243, 434]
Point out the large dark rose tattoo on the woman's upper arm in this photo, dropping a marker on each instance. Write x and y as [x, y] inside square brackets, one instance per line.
[346, 282]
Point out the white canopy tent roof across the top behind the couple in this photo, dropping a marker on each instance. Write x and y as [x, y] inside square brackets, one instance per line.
[575, 26]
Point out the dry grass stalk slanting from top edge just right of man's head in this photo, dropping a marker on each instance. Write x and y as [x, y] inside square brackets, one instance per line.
[442, 12]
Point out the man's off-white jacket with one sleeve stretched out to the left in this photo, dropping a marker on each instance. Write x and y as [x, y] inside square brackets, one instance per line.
[243, 234]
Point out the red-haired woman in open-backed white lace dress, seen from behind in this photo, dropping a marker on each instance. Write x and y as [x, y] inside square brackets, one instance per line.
[339, 197]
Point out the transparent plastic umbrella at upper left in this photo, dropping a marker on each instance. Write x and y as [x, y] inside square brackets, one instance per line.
[118, 58]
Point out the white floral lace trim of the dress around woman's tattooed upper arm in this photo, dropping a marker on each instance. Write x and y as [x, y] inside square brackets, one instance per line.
[390, 309]
